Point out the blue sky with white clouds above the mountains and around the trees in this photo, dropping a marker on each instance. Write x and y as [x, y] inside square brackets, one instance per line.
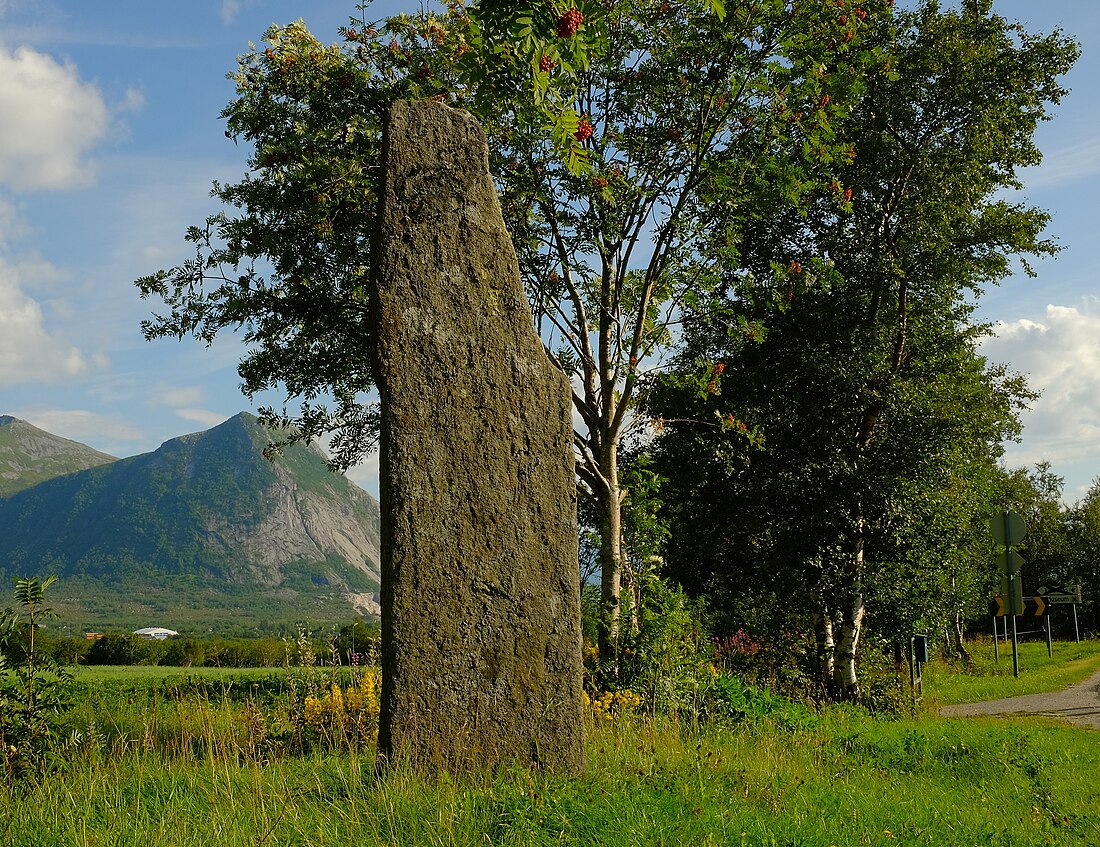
[111, 139]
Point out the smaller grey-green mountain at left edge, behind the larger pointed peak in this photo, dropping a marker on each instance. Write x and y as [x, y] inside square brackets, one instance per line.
[29, 456]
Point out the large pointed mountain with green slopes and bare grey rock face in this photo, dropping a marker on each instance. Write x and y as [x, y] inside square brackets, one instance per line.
[203, 533]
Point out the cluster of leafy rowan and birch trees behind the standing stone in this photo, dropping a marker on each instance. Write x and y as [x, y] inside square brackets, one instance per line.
[765, 229]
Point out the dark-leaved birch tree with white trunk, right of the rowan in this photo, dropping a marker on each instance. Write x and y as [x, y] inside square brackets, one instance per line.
[867, 378]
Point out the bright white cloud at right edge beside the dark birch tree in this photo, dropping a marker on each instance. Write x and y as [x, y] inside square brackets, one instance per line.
[1061, 357]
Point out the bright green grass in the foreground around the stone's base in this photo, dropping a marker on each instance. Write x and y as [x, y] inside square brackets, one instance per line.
[798, 778]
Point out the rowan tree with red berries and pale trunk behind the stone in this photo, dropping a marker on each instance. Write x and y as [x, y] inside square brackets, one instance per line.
[631, 141]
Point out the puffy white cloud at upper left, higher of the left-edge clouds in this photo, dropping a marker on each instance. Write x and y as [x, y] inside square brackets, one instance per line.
[49, 120]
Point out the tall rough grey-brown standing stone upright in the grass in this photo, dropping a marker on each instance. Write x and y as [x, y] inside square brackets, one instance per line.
[481, 625]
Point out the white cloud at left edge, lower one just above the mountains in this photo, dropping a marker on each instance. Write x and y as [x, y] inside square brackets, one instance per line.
[28, 351]
